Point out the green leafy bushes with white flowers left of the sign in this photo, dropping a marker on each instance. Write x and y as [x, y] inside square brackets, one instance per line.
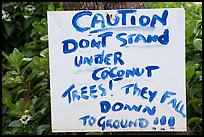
[25, 81]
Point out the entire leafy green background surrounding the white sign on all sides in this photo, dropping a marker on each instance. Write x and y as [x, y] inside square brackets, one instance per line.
[25, 65]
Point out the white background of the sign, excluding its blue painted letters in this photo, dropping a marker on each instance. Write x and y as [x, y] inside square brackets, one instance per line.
[169, 77]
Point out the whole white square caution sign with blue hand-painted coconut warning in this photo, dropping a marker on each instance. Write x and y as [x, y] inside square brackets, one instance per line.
[117, 70]
